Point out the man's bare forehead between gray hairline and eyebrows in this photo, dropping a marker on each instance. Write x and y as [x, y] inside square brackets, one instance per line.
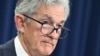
[55, 12]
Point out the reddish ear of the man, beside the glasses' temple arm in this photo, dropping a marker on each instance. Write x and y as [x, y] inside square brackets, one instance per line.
[19, 22]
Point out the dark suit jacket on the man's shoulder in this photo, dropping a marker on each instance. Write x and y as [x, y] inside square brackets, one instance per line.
[8, 49]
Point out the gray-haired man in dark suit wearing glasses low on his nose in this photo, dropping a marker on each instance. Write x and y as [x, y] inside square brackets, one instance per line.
[40, 23]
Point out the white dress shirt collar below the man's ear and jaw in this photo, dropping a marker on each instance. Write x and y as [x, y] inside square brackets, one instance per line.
[18, 48]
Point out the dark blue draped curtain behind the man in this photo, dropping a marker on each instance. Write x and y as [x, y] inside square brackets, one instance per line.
[84, 23]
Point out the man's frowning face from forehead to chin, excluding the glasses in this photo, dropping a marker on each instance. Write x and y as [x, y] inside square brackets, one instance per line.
[37, 41]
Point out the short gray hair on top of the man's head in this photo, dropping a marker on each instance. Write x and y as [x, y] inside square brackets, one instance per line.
[29, 7]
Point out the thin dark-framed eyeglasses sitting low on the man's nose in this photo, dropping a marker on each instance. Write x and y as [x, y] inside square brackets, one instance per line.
[48, 28]
